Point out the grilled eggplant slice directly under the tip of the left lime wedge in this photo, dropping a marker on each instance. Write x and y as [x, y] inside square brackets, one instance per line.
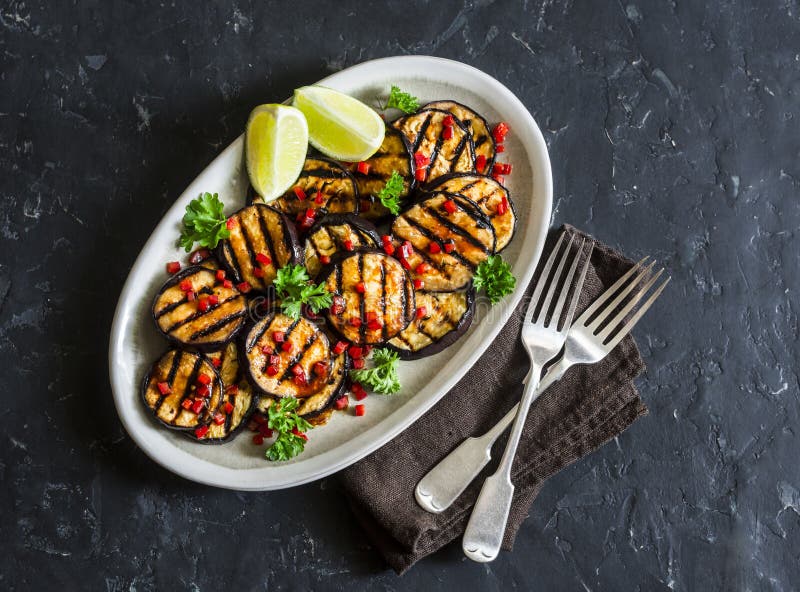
[323, 185]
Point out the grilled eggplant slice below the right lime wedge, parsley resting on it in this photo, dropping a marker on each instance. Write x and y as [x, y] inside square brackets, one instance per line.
[393, 155]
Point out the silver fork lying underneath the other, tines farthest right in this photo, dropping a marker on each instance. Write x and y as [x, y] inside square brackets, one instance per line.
[585, 344]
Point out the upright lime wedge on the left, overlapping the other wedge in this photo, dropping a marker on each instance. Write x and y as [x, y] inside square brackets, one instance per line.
[275, 144]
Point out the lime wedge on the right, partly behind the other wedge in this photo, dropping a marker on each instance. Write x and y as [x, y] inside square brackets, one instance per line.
[339, 126]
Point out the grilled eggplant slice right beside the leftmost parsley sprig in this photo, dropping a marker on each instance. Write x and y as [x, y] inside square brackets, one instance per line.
[262, 240]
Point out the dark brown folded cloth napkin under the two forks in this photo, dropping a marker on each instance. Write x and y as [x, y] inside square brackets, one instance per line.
[587, 407]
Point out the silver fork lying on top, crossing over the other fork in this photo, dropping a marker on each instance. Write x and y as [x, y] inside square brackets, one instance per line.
[543, 336]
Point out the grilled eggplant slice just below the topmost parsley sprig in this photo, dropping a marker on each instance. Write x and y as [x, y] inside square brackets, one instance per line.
[427, 133]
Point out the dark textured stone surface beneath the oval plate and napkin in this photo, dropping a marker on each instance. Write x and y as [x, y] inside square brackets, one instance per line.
[673, 132]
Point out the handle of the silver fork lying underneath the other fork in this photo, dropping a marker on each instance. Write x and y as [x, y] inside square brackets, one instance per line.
[445, 482]
